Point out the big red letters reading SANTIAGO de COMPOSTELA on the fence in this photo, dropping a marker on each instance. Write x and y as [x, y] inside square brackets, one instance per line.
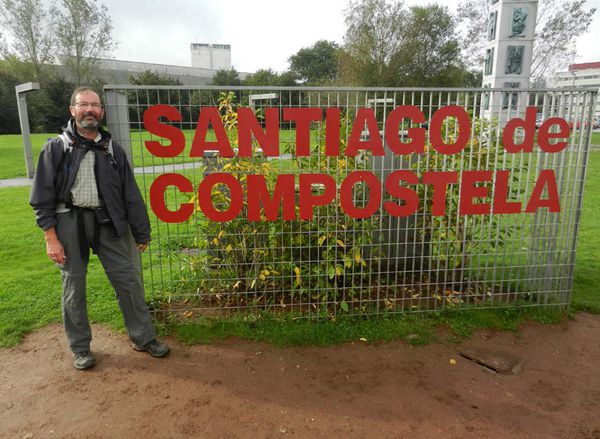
[314, 189]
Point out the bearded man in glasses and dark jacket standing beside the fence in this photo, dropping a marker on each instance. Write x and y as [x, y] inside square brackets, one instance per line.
[85, 197]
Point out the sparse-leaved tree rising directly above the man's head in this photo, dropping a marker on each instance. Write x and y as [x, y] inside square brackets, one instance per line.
[83, 36]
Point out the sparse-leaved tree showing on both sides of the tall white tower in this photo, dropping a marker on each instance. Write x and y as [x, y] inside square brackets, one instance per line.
[558, 24]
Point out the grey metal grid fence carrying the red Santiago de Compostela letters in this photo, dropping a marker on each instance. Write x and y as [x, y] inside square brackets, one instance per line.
[385, 262]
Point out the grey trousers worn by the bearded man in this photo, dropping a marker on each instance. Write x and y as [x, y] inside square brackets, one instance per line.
[120, 260]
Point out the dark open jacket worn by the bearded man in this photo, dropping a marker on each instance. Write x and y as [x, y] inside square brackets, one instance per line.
[55, 175]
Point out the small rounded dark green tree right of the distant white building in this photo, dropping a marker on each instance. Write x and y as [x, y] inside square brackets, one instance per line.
[317, 64]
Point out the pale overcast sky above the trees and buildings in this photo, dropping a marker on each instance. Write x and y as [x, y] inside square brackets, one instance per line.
[262, 34]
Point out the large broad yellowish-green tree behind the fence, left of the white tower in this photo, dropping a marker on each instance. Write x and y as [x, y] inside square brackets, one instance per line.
[387, 44]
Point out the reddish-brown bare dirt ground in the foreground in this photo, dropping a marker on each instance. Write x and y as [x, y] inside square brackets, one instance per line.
[239, 389]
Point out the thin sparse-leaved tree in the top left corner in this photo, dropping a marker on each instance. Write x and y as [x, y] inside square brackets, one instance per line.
[30, 24]
